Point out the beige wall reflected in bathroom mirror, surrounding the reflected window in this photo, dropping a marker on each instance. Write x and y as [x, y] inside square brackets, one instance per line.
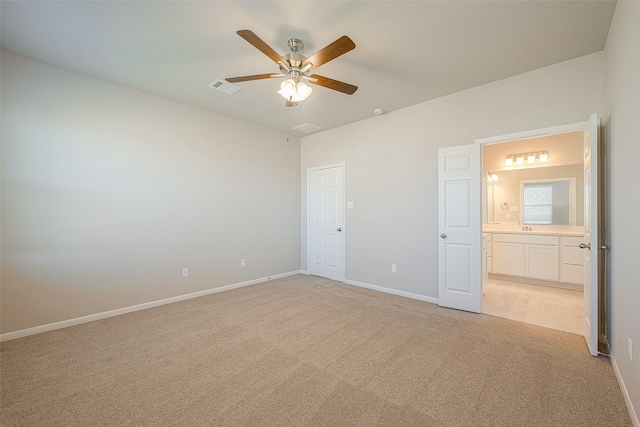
[507, 189]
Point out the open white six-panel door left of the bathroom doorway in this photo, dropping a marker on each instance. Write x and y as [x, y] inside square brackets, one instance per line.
[459, 219]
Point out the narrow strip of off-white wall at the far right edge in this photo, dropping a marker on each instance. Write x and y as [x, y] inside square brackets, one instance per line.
[623, 151]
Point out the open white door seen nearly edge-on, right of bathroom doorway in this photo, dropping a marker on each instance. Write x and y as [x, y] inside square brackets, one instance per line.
[590, 245]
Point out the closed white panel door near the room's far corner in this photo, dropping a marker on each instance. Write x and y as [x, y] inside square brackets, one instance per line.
[326, 238]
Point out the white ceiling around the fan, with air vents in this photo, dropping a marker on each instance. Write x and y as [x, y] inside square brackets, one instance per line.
[406, 52]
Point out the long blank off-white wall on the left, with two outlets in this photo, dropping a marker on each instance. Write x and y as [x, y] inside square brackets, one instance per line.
[108, 192]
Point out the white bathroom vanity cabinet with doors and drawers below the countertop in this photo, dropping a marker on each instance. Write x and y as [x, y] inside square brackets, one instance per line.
[548, 257]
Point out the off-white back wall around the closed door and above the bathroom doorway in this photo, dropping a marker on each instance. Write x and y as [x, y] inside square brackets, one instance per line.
[391, 164]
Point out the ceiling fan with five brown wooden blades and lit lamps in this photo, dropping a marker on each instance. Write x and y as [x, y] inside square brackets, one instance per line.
[296, 67]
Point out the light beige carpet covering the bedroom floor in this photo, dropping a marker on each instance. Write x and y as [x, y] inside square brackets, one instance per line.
[305, 351]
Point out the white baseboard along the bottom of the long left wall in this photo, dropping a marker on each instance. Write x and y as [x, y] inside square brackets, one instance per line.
[90, 318]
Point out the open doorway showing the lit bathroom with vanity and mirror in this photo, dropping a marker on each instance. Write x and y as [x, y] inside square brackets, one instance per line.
[533, 224]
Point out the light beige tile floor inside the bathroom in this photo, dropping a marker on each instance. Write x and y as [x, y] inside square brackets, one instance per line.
[554, 308]
